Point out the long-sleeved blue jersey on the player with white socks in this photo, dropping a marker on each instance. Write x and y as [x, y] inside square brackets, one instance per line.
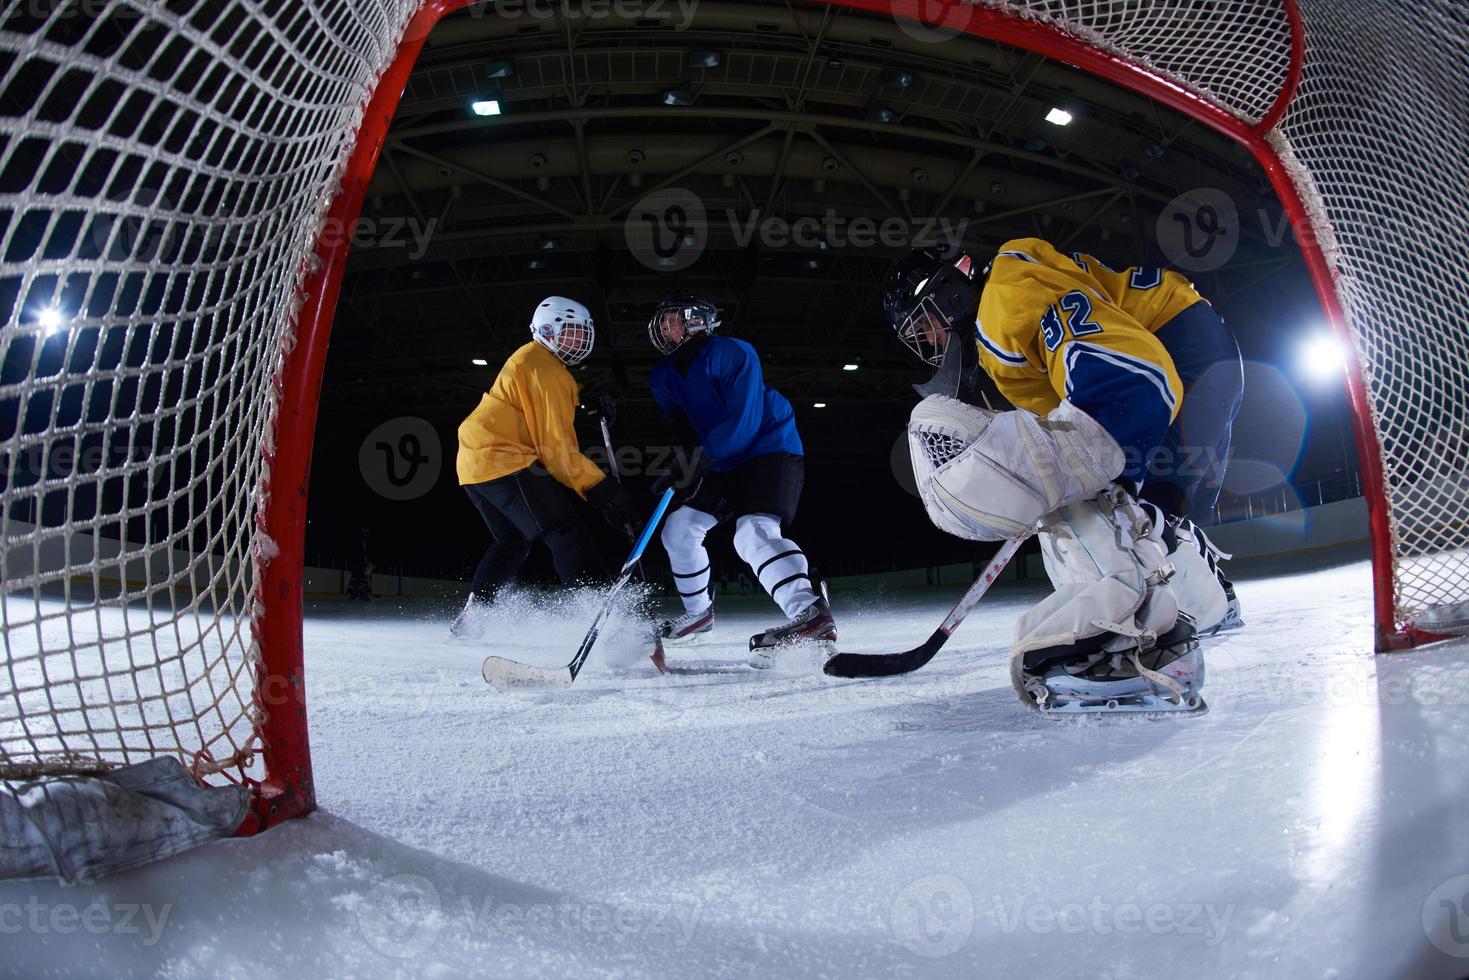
[718, 384]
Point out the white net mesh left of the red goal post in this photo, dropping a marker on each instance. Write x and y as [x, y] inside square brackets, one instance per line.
[165, 168]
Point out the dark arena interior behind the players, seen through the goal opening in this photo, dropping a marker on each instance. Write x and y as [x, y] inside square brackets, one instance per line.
[778, 159]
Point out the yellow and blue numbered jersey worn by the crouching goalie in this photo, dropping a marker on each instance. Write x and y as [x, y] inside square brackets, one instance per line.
[1057, 327]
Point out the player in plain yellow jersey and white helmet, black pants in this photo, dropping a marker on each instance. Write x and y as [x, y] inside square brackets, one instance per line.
[521, 465]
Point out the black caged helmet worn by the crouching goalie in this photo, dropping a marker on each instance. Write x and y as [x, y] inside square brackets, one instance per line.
[929, 295]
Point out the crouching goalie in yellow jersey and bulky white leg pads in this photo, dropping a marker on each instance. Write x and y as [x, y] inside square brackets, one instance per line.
[1098, 364]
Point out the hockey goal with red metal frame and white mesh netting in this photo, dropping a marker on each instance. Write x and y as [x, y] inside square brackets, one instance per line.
[171, 174]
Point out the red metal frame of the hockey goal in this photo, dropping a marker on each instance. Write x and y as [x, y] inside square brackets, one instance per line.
[287, 790]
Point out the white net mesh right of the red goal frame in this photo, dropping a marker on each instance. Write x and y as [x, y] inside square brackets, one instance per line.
[1376, 143]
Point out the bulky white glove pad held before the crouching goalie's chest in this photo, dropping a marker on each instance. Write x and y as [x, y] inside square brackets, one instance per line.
[991, 477]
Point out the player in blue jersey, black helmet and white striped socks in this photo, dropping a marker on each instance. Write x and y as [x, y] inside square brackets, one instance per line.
[750, 469]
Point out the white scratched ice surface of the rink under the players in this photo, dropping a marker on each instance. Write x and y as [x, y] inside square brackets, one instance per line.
[725, 822]
